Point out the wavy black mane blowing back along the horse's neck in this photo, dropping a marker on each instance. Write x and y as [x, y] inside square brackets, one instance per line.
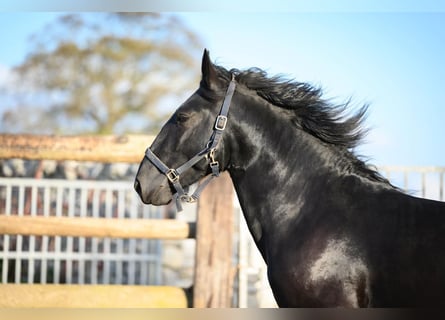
[310, 112]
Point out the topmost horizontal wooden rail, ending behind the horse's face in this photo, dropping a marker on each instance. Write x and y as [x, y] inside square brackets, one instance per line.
[128, 148]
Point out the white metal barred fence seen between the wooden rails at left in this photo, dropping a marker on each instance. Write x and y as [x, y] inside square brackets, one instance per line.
[32, 259]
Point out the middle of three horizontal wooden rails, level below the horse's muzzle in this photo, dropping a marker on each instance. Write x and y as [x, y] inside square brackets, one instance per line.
[96, 227]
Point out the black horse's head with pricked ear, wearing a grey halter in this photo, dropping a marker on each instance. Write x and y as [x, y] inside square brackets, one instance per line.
[190, 145]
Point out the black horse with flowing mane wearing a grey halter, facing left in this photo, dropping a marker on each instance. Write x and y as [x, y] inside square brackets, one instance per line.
[332, 230]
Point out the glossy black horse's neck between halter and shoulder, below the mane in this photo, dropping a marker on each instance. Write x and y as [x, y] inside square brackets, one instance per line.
[273, 165]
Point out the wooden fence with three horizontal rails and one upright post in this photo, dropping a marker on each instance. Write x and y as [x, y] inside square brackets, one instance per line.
[213, 232]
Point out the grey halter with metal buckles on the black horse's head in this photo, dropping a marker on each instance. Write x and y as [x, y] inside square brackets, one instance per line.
[173, 175]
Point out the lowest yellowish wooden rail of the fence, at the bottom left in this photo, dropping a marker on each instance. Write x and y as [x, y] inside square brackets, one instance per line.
[91, 296]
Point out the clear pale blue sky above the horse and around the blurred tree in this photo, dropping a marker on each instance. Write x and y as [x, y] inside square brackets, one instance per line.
[392, 60]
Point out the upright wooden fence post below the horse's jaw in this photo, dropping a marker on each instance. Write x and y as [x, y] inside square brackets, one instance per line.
[214, 246]
